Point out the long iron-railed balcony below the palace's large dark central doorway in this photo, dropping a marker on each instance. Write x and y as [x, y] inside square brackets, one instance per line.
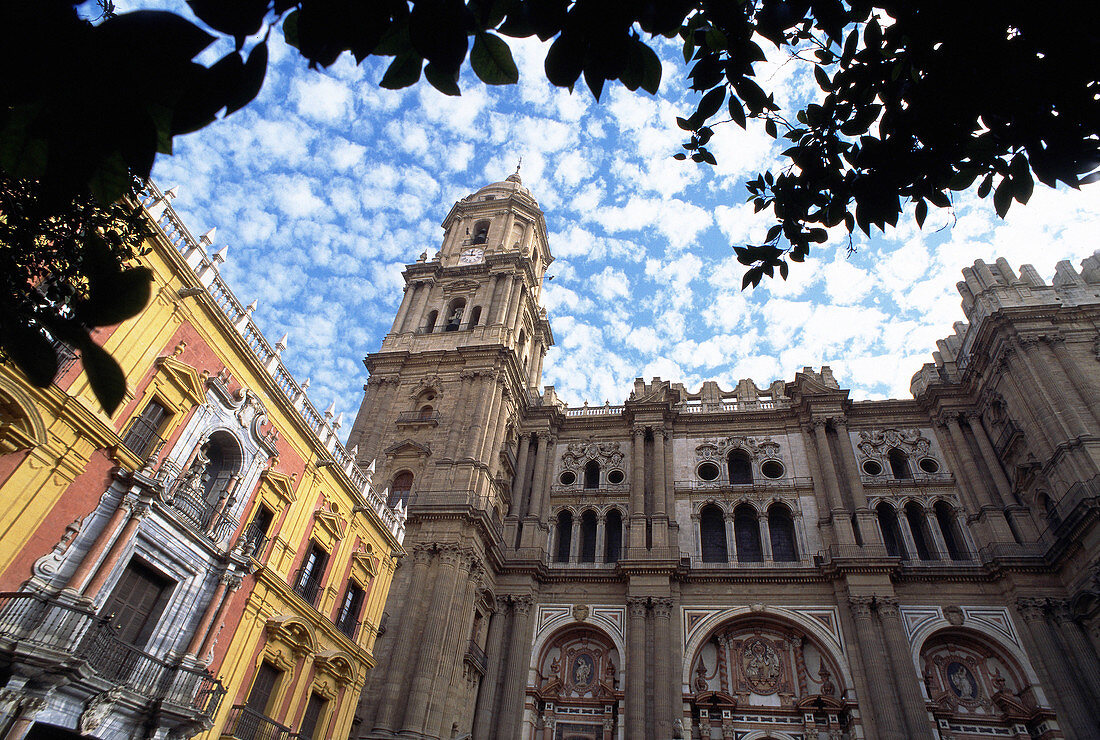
[59, 637]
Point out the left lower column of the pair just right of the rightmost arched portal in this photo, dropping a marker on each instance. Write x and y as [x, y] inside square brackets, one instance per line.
[1074, 716]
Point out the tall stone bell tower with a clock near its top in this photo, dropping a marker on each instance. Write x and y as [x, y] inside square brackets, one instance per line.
[439, 415]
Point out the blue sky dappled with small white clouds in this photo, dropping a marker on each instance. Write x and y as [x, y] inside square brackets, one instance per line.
[327, 185]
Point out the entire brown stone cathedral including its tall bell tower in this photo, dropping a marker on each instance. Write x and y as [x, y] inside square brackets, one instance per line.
[772, 561]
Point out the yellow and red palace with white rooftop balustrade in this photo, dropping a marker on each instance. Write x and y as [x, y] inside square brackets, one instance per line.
[206, 561]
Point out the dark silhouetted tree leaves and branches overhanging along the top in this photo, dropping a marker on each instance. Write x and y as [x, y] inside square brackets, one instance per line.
[918, 98]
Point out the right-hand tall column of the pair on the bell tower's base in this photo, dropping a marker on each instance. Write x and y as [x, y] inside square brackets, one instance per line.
[431, 643]
